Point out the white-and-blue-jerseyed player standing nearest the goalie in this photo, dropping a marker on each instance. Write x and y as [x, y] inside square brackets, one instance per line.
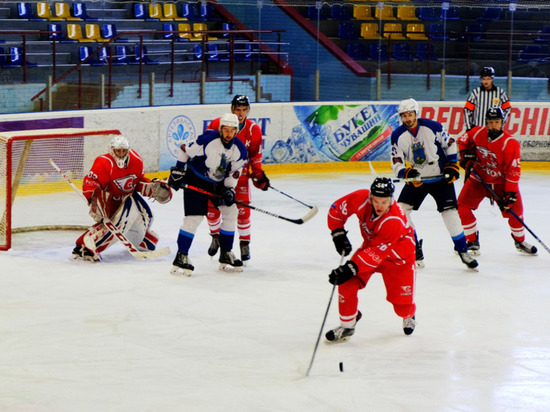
[212, 164]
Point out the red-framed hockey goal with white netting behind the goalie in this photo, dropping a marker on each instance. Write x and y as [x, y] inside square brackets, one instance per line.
[33, 195]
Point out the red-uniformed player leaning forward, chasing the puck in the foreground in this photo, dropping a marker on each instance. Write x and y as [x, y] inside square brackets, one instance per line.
[388, 248]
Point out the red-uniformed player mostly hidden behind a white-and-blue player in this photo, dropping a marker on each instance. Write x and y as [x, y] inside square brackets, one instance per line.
[251, 135]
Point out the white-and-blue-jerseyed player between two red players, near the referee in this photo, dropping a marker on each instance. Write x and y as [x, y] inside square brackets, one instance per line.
[421, 148]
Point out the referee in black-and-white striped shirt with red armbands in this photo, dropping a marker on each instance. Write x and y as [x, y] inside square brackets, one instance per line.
[482, 98]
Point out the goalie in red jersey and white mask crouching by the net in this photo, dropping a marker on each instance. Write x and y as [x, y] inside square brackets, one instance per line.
[112, 188]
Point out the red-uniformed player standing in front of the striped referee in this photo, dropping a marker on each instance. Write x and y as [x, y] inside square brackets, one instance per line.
[489, 153]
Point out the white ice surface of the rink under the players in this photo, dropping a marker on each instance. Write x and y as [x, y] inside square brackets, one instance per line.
[125, 335]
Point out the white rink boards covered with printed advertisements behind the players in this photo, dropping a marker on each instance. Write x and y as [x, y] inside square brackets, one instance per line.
[297, 136]
